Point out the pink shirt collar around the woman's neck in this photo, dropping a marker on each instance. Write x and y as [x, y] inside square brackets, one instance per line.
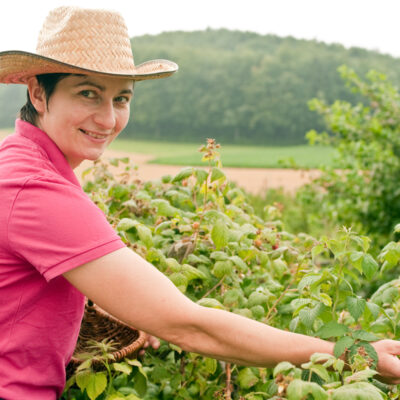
[36, 135]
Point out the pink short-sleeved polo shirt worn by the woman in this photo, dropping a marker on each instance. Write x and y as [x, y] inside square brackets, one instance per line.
[48, 226]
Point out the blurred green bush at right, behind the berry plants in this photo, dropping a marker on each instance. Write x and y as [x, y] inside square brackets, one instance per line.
[363, 191]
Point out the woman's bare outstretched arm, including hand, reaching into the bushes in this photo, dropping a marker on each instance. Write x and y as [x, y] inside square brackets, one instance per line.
[131, 289]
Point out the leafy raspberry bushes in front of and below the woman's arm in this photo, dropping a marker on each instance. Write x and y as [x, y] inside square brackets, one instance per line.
[199, 230]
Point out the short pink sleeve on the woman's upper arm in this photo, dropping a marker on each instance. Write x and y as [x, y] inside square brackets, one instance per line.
[55, 227]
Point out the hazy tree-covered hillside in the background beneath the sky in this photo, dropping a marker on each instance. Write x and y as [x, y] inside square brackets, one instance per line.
[238, 87]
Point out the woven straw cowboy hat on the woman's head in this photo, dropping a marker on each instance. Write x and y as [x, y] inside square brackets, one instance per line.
[81, 41]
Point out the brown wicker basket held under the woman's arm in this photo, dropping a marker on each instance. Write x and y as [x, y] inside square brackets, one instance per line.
[98, 325]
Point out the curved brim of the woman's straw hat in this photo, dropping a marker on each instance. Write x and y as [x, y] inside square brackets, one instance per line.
[18, 66]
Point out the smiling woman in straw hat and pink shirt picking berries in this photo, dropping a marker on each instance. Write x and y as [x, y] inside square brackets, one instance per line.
[56, 245]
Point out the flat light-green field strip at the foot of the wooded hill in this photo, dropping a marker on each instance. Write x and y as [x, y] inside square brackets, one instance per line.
[232, 156]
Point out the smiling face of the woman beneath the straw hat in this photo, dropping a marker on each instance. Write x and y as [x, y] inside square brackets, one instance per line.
[84, 114]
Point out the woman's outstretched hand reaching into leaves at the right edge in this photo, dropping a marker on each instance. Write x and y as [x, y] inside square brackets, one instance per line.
[388, 362]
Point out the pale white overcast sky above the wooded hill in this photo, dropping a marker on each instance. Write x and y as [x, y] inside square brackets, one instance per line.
[362, 23]
